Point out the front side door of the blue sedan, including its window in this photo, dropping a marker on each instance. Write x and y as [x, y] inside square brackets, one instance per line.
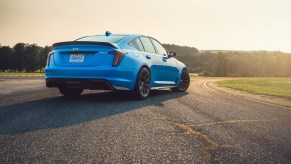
[169, 69]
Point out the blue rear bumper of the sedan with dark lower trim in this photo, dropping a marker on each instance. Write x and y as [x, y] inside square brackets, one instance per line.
[113, 78]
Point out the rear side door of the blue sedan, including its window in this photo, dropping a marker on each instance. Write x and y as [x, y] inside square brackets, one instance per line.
[154, 60]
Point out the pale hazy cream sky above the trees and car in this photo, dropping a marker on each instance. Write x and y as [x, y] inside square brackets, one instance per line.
[204, 24]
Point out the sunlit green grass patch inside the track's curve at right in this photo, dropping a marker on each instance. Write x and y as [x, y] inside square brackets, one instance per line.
[280, 87]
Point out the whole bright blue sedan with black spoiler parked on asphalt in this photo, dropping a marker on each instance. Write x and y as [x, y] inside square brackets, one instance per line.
[136, 63]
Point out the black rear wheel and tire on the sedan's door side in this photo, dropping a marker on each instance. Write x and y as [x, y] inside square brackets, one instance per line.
[142, 85]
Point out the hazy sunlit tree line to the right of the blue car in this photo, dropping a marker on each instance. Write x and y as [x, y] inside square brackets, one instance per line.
[234, 63]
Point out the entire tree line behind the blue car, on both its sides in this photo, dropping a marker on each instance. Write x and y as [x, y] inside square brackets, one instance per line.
[31, 57]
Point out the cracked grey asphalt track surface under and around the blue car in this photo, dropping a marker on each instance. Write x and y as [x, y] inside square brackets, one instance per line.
[203, 125]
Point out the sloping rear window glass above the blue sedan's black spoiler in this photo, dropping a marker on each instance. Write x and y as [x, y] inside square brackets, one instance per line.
[103, 38]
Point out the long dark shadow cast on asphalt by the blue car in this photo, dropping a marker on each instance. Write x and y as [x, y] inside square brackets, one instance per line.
[58, 112]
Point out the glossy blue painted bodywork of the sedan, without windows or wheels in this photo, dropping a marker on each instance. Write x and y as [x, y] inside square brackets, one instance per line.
[97, 64]
